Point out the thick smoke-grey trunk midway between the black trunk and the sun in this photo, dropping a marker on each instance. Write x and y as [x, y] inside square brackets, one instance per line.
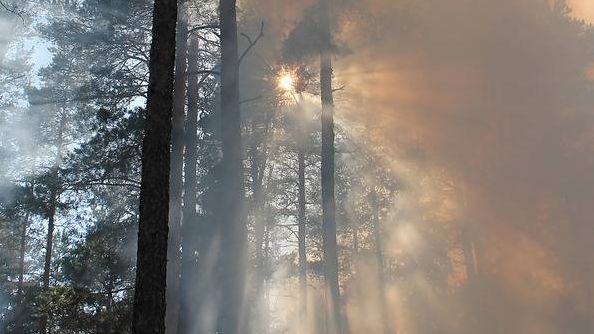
[233, 228]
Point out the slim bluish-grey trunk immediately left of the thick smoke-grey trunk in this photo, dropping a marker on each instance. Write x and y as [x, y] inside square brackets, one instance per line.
[188, 300]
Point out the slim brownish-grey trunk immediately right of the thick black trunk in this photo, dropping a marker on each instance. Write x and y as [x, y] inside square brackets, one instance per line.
[176, 178]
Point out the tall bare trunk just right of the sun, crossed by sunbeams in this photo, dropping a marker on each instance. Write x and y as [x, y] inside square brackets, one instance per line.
[328, 200]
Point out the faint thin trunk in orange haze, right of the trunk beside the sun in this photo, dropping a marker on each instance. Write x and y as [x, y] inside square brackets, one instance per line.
[379, 256]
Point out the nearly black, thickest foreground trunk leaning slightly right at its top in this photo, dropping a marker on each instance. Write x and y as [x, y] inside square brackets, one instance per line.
[151, 268]
